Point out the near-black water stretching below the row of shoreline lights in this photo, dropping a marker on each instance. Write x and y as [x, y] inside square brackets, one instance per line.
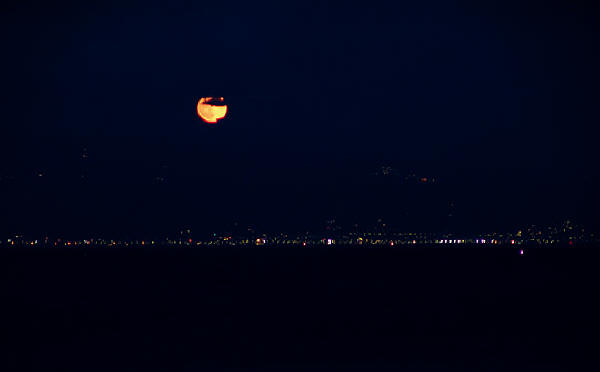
[268, 309]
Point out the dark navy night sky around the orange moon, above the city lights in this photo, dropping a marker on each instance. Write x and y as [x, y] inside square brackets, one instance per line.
[496, 101]
